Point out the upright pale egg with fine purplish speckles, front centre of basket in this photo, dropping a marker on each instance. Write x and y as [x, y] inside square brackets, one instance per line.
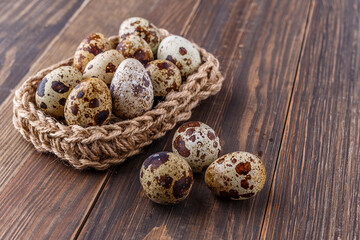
[131, 89]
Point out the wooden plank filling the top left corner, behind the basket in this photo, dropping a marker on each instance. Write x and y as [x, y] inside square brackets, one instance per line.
[27, 27]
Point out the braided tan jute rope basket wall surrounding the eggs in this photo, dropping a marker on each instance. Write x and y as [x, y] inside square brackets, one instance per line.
[100, 147]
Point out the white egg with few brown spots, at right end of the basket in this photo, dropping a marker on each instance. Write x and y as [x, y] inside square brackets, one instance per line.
[181, 52]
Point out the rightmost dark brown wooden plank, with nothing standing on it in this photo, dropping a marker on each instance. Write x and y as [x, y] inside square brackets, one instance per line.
[315, 193]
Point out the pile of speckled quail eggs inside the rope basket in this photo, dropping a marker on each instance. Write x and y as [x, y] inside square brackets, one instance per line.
[122, 79]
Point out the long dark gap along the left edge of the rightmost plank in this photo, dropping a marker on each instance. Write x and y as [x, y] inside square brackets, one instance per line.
[291, 99]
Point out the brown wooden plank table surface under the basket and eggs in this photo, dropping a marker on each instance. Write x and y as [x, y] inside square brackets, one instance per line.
[291, 95]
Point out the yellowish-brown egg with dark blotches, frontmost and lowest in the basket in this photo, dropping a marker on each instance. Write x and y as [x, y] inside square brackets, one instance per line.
[88, 104]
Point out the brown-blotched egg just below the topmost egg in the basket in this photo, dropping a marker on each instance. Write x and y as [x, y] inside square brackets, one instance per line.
[132, 46]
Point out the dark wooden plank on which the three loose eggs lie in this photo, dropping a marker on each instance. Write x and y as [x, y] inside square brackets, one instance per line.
[258, 44]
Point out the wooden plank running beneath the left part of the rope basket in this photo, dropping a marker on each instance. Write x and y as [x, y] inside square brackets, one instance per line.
[40, 197]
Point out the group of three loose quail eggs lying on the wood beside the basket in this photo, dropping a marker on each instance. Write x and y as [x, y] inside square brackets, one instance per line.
[167, 177]
